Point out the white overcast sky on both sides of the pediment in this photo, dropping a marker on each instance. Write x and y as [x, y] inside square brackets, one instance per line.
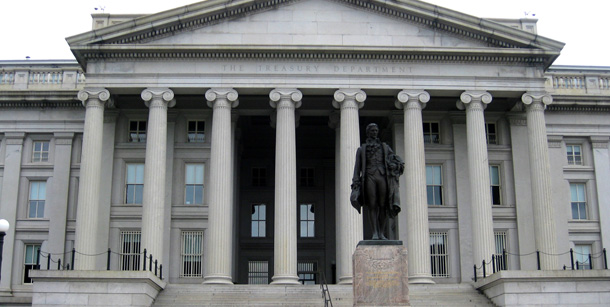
[38, 28]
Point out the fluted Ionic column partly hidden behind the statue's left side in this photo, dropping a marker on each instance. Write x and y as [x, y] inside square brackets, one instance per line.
[348, 222]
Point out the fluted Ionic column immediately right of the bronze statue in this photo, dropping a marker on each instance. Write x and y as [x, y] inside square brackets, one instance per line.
[416, 203]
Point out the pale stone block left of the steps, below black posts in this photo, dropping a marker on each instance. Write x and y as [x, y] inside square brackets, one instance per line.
[90, 288]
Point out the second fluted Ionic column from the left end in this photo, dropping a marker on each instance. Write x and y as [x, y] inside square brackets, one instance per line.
[153, 202]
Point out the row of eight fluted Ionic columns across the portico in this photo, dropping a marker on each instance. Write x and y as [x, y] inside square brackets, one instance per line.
[349, 228]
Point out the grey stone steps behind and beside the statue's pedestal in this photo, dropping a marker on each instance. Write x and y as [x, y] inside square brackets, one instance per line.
[176, 295]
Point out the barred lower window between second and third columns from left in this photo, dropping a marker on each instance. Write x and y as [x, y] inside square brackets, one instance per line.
[192, 253]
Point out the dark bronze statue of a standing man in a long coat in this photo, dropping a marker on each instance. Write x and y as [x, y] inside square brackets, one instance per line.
[375, 181]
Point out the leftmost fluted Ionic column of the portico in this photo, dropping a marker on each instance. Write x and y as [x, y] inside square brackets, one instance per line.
[94, 100]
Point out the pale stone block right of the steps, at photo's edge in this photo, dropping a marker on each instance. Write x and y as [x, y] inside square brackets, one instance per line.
[542, 288]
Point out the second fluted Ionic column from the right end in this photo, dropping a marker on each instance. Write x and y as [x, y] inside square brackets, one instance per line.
[478, 165]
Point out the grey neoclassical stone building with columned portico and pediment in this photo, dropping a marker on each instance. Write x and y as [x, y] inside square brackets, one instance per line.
[221, 138]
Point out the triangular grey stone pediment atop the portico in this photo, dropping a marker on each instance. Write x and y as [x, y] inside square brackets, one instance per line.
[361, 29]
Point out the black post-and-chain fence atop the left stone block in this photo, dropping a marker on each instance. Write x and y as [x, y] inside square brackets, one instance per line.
[127, 261]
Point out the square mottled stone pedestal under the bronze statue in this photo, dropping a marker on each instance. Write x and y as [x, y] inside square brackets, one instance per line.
[381, 277]
